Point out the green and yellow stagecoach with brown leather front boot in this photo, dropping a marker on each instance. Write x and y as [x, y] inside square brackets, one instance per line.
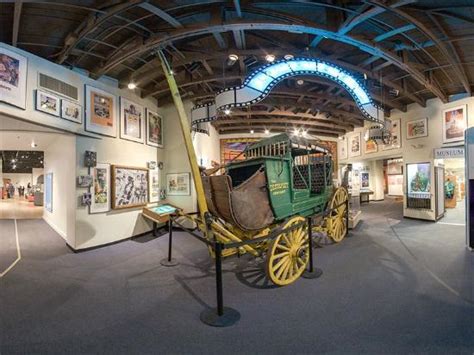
[263, 203]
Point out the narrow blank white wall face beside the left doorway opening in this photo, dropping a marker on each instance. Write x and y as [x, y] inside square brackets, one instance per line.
[59, 160]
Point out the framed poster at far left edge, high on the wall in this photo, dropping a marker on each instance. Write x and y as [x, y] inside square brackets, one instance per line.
[13, 72]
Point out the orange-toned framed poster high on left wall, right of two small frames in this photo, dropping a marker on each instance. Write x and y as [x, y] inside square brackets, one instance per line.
[101, 112]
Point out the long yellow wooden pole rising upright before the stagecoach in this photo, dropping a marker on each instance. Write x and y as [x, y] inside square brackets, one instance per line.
[186, 129]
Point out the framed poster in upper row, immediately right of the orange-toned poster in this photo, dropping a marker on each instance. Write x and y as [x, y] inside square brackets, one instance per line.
[132, 118]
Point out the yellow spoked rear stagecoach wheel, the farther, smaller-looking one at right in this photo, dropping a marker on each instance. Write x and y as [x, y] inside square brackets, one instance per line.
[336, 222]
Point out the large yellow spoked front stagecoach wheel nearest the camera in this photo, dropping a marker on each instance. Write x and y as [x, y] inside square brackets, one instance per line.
[287, 254]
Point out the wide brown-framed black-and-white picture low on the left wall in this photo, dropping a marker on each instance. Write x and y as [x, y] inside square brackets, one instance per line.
[129, 187]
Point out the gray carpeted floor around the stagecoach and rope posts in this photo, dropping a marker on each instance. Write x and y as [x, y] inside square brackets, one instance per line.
[394, 287]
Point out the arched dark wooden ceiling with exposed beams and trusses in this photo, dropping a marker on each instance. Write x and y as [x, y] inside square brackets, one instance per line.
[407, 51]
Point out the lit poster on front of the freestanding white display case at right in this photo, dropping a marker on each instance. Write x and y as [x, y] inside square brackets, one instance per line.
[418, 185]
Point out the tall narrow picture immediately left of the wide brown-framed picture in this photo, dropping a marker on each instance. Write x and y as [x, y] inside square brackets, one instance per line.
[100, 194]
